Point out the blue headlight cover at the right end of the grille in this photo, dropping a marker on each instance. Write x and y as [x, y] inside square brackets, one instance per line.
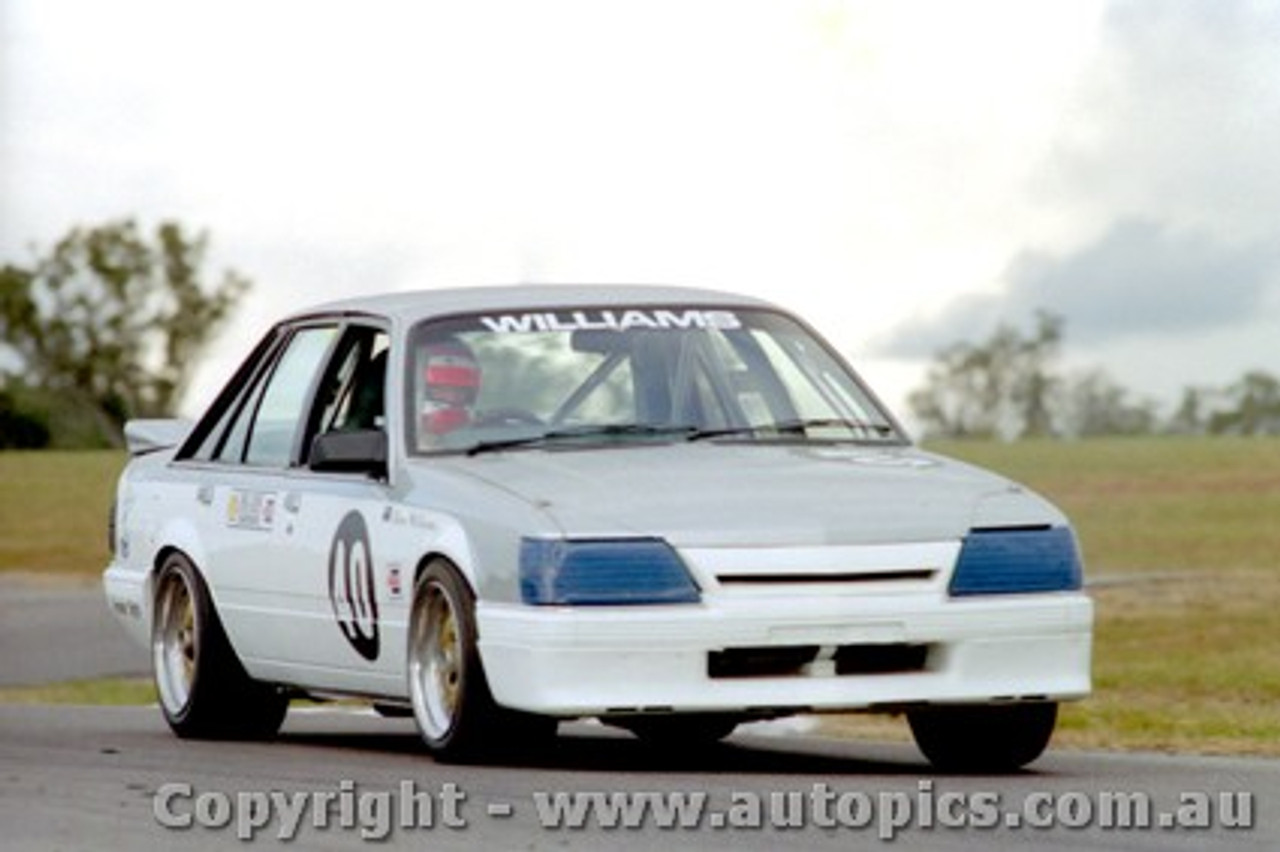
[1011, 562]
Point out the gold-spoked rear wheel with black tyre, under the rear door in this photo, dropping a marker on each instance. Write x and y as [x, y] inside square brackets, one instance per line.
[204, 691]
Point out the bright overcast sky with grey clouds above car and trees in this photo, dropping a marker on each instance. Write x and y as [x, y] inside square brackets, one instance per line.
[904, 175]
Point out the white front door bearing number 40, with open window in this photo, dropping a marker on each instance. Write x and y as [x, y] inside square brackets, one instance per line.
[344, 560]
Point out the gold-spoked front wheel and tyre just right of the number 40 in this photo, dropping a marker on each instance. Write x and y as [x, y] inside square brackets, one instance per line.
[454, 708]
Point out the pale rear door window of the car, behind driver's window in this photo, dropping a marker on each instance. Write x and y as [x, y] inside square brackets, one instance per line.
[268, 427]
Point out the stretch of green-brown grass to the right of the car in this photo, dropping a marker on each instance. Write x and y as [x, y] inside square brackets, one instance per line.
[1187, 651]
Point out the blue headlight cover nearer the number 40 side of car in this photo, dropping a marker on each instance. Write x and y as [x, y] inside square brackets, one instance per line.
[584, 572]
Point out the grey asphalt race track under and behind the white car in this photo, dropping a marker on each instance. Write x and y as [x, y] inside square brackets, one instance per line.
[108, 778]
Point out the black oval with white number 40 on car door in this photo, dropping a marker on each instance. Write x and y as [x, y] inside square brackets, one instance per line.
[351, 585]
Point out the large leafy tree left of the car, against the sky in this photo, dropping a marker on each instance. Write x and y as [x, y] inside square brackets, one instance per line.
[115, 320]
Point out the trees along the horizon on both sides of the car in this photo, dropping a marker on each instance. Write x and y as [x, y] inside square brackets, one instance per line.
[109, 326]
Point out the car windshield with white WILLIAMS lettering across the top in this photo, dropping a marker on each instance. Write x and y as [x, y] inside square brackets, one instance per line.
[575, 378]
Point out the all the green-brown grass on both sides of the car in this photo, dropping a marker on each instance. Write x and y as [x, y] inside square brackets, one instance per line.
[1187, 651]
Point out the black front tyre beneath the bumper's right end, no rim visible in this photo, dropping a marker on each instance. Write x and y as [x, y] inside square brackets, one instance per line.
[984, 739]
